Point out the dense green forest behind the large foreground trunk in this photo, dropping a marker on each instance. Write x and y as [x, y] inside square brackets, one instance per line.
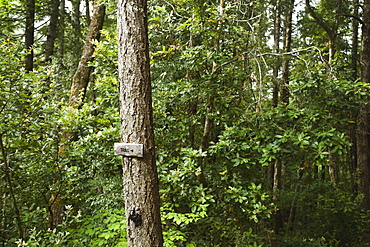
[260, 112]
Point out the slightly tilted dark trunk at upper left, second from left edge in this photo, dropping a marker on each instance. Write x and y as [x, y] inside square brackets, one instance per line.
[52, 32]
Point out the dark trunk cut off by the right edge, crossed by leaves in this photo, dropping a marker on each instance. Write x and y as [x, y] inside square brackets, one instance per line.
[362, 119]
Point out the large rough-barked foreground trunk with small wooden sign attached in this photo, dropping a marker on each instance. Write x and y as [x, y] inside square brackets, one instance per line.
[141, 192]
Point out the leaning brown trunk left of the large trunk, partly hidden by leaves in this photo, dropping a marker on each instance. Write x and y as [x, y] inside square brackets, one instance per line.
[78, 90]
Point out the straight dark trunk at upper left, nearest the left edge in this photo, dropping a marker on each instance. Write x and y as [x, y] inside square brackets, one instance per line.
[29, 34]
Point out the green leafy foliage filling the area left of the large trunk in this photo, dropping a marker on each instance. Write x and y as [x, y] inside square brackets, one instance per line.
[32, 118]
